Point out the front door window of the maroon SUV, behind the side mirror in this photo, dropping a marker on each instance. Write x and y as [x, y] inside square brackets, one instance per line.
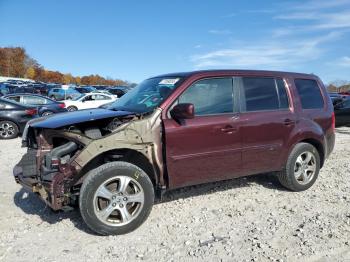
[210, 96]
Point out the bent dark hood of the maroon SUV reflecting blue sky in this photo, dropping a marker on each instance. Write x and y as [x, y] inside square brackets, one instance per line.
[70, 118]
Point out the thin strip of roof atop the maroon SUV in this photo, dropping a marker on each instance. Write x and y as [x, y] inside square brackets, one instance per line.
[236, 72]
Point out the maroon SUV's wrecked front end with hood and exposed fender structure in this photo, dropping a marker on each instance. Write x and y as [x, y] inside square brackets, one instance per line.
[62, 149]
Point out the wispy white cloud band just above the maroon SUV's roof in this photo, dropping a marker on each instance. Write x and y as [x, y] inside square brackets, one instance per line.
[265, 54]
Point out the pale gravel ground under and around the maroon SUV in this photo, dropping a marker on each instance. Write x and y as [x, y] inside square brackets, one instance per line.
[247, 219]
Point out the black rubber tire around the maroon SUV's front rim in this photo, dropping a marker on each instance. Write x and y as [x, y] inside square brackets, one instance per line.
[99, 176]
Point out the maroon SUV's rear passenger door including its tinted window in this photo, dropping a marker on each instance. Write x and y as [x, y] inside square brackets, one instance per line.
[267, 120]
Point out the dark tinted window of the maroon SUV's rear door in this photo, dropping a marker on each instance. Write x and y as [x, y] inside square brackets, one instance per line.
[263, 93]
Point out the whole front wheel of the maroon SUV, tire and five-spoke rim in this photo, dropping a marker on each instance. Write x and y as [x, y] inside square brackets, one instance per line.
[116, 198]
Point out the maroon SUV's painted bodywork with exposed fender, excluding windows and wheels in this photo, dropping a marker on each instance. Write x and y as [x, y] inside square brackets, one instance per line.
[192, 151]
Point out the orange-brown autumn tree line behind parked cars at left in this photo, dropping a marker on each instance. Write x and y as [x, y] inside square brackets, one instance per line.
[15, 62]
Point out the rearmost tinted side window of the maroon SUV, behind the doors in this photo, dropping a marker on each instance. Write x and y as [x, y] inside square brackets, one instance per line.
[309, 93]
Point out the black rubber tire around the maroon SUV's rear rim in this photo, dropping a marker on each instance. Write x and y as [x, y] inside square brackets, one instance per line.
[287, 176]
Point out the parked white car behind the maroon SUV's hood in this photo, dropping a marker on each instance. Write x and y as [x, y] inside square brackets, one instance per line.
[89, 100]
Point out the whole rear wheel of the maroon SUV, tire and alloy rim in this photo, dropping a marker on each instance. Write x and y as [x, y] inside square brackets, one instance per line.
[302, 168]
